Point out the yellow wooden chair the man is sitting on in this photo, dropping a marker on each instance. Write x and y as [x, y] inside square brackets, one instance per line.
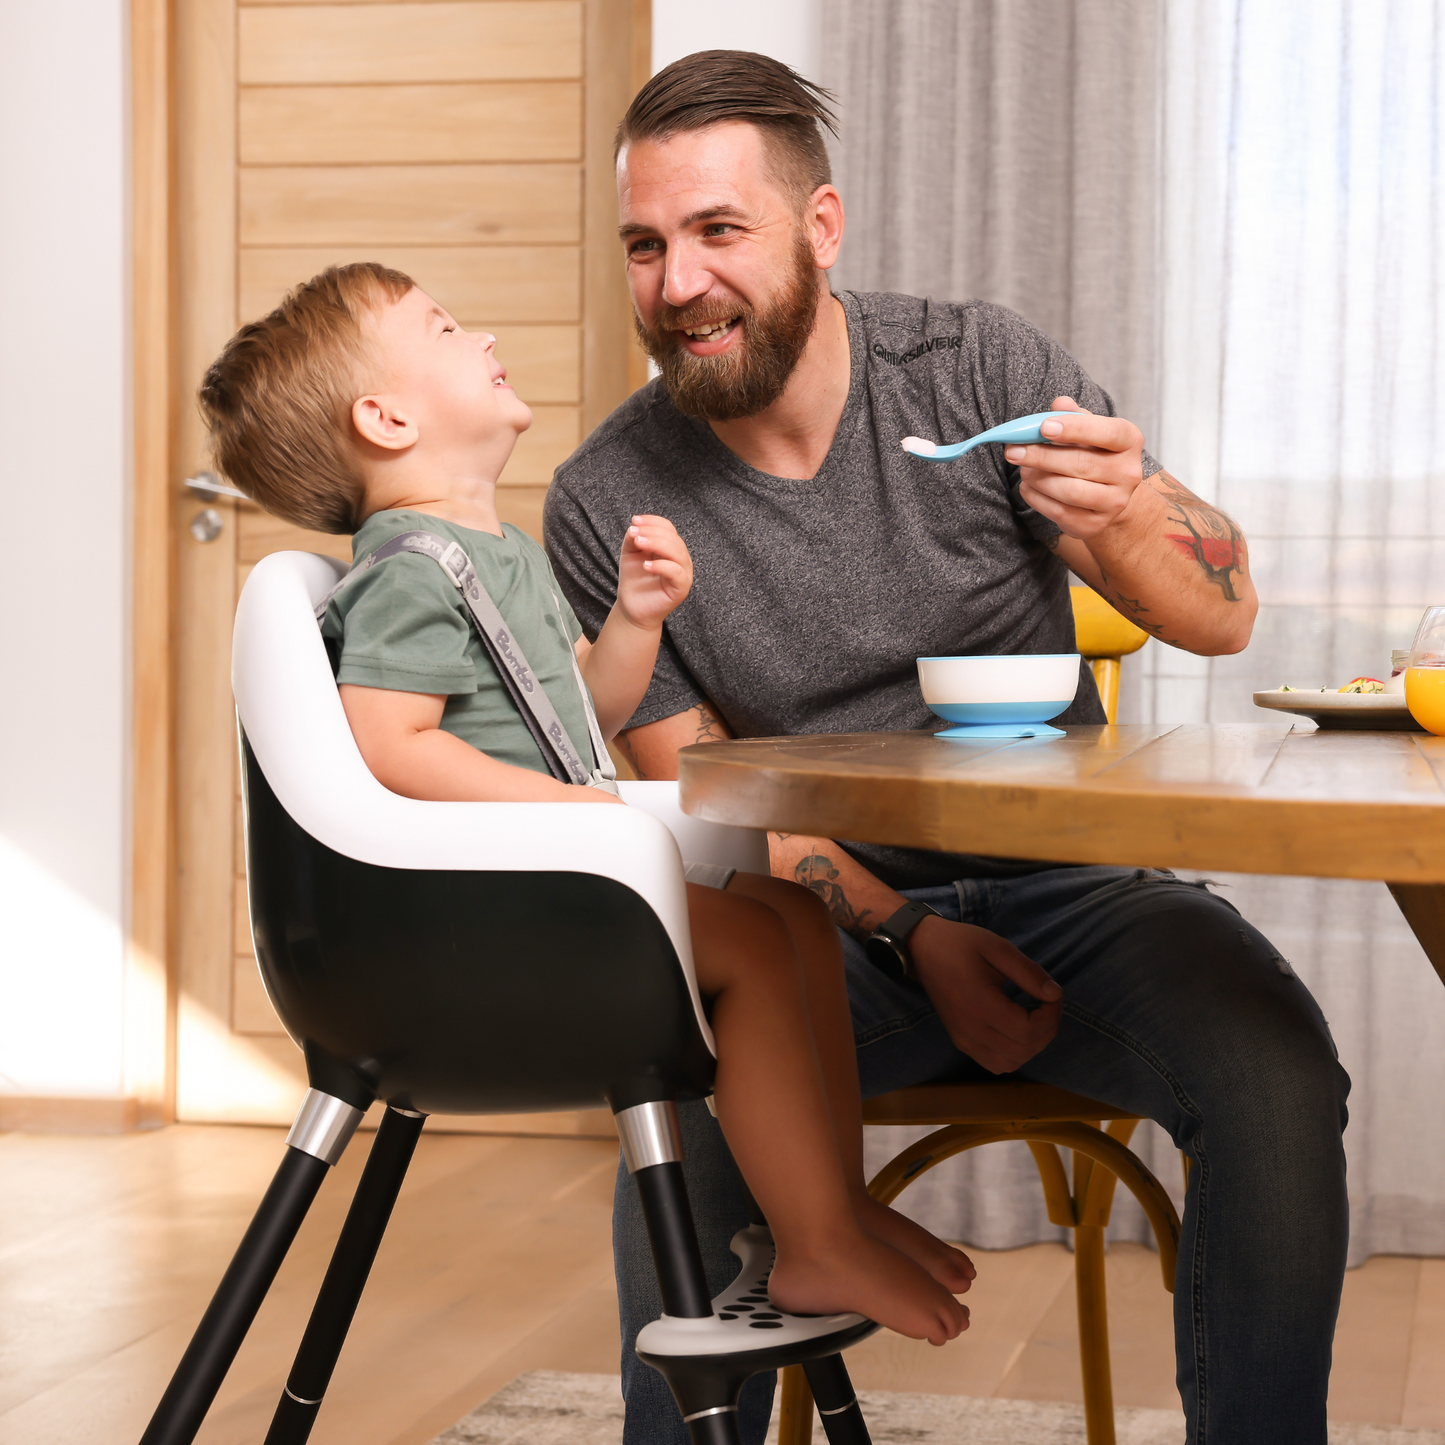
[1048, 1121]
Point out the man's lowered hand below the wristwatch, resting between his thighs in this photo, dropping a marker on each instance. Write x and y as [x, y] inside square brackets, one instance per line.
[965, 970]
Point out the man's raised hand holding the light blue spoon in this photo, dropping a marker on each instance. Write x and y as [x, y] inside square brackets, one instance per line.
[1086, 479]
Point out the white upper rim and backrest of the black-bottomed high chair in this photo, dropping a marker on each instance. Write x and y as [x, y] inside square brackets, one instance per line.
[288, 706]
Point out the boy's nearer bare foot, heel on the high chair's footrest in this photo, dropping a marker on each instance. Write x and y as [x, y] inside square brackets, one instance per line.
[869, 1278]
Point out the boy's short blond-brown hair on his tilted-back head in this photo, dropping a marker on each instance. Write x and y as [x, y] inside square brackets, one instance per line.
[278, 400]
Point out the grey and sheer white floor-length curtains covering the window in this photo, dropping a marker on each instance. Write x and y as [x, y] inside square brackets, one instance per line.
[1235, 216]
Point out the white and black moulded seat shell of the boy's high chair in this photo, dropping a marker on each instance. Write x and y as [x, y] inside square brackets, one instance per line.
[452, 957]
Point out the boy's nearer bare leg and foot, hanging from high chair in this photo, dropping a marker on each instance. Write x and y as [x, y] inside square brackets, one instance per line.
[777, 1118]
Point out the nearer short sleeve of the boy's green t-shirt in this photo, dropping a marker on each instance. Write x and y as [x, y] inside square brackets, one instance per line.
[401, 628]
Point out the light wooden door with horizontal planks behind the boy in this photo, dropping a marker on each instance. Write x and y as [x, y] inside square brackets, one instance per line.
[467, 142]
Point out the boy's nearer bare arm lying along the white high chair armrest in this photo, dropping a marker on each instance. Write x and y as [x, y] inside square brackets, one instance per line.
[402, 742]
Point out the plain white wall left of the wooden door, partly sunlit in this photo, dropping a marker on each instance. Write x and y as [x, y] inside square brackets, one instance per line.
[64, 478]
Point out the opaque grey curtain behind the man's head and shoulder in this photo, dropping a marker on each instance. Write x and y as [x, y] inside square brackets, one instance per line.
[1008, 150]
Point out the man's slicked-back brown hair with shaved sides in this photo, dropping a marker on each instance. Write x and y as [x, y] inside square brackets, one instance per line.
[715, 86]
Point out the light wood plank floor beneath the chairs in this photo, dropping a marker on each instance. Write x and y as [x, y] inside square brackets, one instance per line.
[499, 1262]
